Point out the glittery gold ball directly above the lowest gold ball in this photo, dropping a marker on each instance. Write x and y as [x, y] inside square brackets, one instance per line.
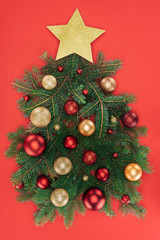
[62, 165]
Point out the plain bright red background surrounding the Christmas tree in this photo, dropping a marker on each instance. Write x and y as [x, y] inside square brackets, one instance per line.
[132, 34]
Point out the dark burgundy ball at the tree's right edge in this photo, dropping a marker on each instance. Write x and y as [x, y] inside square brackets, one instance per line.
[130, 119]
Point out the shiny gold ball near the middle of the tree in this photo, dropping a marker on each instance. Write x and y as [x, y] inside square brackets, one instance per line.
[86, 127]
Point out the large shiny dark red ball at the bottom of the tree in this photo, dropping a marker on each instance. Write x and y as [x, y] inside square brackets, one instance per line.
[94, 199]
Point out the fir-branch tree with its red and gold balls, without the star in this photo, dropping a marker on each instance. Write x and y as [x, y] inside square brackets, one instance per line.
[81, 147]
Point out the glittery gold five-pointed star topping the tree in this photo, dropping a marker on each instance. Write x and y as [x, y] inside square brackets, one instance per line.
[75, 37]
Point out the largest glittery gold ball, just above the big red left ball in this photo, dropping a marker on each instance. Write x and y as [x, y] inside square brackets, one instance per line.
[40, 117]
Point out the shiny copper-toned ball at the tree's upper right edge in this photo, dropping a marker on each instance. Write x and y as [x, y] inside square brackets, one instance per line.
[108, 84]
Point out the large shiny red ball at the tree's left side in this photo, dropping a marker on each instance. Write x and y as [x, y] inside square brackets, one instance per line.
[34, 145]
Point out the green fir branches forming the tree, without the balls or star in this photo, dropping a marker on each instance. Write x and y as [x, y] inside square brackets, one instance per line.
[124, 140]
